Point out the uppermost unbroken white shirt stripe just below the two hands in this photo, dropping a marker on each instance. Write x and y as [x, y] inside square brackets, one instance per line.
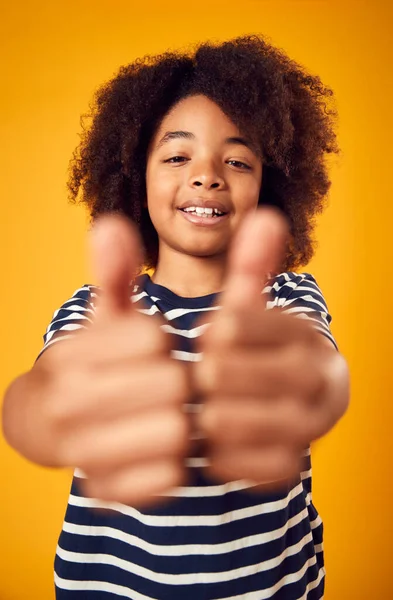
[189, 520]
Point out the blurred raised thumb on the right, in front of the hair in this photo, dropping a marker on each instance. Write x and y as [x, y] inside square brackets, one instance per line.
[257, 250]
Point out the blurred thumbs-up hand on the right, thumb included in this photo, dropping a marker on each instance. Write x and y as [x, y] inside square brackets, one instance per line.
[263, 373]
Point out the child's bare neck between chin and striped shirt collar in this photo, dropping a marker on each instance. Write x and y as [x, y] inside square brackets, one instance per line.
[190, 276]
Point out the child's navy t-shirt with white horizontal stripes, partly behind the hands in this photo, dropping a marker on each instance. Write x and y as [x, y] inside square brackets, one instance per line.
[211, 540]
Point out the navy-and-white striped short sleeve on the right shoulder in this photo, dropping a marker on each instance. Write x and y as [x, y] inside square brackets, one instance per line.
[300, 295]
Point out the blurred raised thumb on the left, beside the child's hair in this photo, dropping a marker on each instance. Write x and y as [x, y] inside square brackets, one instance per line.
[116, 255]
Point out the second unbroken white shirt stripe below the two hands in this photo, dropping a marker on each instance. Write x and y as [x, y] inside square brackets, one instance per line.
[187, 549]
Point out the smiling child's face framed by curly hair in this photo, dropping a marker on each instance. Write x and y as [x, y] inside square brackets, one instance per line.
[200, 167]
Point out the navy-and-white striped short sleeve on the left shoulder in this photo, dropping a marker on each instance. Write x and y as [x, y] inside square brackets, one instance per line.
[76, 313]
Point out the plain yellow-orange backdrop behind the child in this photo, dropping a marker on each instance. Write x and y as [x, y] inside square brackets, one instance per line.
[53, 57]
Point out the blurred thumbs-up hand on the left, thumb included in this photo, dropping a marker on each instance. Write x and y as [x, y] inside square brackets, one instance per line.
[114, 398]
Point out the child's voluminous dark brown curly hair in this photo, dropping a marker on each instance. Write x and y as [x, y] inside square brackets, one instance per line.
[268, 96]
